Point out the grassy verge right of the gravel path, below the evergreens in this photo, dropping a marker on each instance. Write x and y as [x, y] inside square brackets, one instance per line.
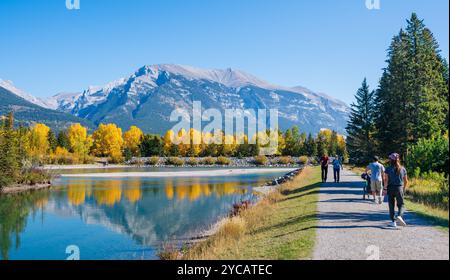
[426, 197]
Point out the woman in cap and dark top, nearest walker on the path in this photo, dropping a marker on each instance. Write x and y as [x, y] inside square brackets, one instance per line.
[395, 182]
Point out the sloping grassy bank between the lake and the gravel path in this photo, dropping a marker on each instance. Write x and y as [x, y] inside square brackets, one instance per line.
[280, 226]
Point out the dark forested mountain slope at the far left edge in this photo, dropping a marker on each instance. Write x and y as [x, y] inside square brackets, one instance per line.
[26, 113]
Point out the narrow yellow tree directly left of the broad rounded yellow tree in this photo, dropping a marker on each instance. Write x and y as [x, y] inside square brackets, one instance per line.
[79, 141]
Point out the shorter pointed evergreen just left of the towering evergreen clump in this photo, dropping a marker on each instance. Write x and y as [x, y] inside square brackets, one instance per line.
[361, 126]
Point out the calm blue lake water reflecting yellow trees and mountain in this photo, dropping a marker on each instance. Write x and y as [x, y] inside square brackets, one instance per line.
[126, 218]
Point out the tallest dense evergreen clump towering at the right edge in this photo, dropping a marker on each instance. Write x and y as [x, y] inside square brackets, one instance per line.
[412, 99]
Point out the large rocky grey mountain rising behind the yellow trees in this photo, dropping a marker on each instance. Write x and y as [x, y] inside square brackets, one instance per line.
[147, 97]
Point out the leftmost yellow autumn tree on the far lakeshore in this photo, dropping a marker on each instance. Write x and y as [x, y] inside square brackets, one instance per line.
[38, 145]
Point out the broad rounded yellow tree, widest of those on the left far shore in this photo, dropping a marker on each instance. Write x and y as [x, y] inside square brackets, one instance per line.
[108, 142]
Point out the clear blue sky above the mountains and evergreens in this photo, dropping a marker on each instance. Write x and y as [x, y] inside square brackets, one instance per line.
[325, 45]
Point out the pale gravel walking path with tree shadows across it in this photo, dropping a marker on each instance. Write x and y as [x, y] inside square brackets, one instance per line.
[351, 228]
